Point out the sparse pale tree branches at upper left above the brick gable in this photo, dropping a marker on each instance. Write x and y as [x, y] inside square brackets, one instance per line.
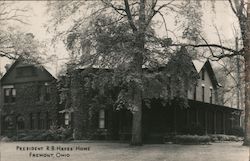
[14, 43]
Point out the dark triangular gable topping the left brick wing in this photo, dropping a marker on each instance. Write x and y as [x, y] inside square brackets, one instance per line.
[21, 72]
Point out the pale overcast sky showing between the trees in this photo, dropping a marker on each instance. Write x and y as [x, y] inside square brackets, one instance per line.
[223, 19]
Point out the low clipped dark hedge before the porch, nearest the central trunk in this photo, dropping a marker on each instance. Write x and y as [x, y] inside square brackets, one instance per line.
[191, 139]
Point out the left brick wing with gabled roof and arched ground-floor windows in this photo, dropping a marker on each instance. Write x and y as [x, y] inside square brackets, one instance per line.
[28, 99]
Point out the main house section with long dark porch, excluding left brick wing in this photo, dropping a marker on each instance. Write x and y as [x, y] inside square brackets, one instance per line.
[203, 116]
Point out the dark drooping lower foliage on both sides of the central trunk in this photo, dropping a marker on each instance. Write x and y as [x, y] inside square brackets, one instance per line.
[107, 88]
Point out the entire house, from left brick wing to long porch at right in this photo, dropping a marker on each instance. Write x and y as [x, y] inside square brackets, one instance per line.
[29, 102]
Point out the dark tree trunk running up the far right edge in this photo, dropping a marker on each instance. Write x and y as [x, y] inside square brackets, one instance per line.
[247, 78]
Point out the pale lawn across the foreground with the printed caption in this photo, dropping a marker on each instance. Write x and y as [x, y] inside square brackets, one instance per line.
[106, 151]
